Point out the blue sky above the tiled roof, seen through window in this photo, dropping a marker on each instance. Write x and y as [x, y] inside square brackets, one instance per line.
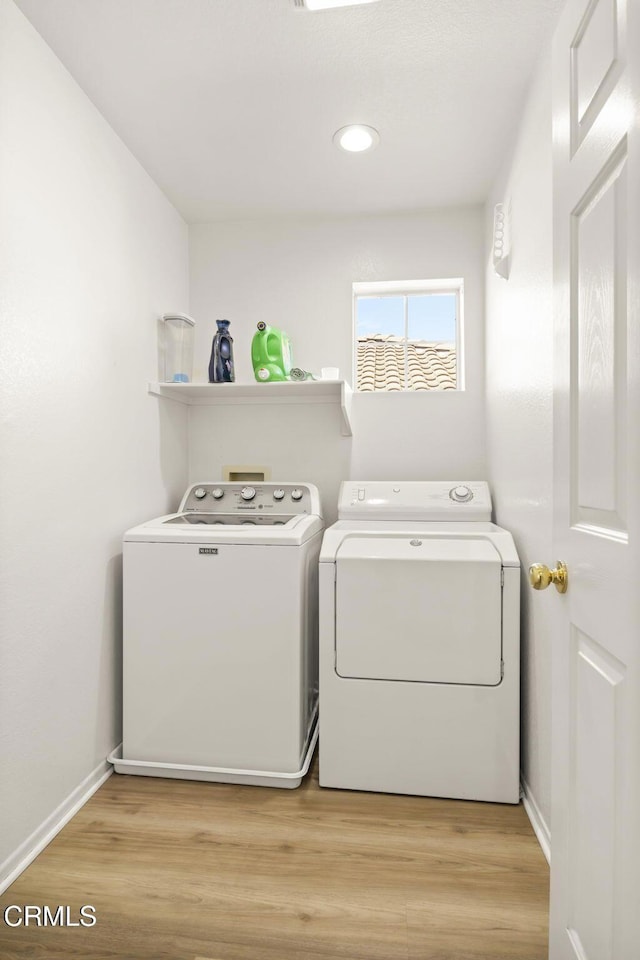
[431, 317]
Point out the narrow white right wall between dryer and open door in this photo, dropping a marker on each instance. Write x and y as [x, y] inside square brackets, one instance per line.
[519, 406]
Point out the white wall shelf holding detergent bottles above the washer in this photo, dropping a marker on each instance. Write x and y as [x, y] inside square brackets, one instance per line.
[306, 391]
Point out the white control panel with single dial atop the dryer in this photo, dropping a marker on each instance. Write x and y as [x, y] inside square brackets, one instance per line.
[430, 500]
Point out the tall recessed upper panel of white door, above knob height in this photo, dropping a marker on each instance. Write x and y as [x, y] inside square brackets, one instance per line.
[598, 330]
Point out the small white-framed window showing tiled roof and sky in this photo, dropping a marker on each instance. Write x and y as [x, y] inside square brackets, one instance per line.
[408, 335]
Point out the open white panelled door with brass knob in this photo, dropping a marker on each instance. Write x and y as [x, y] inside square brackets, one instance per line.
[595, 826]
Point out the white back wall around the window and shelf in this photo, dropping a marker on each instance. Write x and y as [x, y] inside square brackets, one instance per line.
[298, 275]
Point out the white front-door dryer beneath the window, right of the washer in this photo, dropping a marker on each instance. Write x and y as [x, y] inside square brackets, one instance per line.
[419, 643]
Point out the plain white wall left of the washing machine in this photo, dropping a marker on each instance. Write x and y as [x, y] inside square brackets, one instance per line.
[90, 254]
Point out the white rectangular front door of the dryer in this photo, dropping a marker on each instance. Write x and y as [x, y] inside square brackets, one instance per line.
[419, 609]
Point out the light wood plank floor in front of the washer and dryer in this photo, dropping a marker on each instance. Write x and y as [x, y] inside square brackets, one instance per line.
[195, 871]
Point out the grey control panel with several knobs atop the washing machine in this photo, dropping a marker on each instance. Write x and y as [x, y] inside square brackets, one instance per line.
[242, 498]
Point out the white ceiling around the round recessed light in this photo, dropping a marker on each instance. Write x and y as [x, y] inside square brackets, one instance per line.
[231, 105]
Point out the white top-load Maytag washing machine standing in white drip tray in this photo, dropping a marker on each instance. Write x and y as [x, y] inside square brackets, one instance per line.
[220, 636]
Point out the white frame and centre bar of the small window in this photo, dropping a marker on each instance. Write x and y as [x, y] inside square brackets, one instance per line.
[407, 288]
